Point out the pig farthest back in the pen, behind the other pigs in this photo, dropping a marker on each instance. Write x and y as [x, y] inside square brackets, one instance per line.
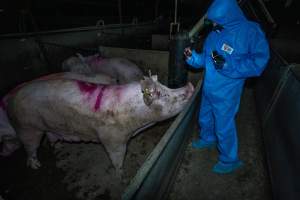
[123, 70]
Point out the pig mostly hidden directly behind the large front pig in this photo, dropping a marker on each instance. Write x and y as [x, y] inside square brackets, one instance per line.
[8, 137]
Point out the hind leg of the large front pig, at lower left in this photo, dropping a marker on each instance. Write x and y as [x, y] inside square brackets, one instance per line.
[31, 139]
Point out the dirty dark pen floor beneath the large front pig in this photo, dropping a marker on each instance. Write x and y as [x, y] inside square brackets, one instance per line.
[75, 171]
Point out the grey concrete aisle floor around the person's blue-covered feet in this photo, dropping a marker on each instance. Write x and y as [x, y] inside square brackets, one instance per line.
[196, 181]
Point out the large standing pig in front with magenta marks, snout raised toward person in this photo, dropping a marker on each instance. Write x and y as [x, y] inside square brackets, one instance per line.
[79, 111]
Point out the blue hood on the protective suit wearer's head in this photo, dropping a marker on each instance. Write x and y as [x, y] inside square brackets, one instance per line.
[226, 13]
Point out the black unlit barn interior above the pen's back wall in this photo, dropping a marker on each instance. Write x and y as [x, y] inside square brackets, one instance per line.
[36, 15]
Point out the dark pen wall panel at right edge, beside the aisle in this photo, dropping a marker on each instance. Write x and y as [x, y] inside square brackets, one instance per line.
[281, 138]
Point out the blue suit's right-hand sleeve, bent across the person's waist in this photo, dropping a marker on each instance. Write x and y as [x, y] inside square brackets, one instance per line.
[251, 64]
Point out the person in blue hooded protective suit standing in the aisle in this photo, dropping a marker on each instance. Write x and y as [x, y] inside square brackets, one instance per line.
[234, 50]
